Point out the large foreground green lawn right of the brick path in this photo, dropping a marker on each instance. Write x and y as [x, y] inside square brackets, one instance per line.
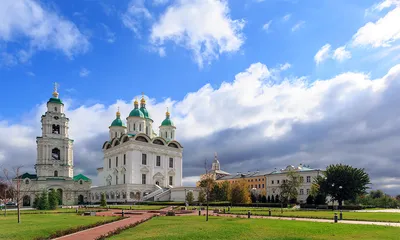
[192, 227]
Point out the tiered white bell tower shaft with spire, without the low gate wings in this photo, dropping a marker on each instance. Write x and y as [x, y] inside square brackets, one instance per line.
[54, 148]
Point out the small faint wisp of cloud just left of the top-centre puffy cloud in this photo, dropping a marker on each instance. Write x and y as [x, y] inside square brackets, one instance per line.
[135, 15]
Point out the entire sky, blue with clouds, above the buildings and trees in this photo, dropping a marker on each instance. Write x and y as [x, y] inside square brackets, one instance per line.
[264, 83]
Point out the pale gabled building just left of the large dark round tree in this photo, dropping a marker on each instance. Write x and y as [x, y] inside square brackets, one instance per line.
[274, 180]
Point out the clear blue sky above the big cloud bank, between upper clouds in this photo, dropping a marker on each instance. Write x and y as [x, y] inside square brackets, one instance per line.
[116, 56]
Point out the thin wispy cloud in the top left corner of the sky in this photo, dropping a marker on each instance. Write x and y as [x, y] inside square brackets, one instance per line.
[44, 29]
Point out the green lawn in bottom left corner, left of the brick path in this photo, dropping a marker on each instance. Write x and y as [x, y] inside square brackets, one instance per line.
[42, 225]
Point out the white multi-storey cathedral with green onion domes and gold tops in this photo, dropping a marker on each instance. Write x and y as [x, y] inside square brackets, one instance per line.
[138, 164]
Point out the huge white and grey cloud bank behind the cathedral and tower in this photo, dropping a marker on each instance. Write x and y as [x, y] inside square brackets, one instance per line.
[326, 115]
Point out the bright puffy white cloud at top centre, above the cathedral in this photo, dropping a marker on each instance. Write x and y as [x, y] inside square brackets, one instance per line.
[202, 26]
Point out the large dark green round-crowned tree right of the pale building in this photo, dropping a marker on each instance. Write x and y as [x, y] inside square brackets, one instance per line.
[343, 182]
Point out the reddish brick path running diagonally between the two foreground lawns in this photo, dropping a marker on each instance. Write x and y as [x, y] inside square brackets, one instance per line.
[96, 232]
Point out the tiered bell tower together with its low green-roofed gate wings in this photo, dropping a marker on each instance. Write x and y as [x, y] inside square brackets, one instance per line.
[54, 163]
